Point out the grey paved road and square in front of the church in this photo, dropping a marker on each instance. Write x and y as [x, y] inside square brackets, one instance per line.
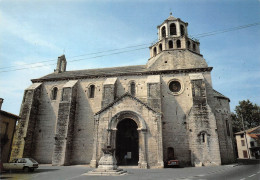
[227, 172]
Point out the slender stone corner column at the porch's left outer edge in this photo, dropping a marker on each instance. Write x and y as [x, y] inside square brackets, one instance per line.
[93, 162]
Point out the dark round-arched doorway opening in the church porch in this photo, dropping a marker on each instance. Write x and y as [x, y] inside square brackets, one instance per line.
[127, 143]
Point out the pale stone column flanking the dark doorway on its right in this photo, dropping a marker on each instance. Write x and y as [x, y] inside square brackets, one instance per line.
[142, 149]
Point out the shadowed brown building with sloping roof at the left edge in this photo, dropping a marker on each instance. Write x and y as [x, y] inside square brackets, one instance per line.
[7, 129]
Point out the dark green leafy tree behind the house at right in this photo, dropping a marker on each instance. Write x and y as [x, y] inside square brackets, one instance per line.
[250, 113]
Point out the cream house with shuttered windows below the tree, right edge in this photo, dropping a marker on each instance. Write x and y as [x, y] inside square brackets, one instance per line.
[248, 143]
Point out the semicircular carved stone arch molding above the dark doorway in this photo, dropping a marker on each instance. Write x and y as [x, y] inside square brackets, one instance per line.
[127, 115]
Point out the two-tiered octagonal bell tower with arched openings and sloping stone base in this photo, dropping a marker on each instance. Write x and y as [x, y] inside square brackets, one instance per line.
[175, 47]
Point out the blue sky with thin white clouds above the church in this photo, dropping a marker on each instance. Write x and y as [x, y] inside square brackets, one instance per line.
[36, 31]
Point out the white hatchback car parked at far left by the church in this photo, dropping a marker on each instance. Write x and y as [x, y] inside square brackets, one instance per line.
[26, 164]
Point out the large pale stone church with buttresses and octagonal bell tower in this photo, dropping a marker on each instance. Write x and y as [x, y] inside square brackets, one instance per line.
[165, 109]
